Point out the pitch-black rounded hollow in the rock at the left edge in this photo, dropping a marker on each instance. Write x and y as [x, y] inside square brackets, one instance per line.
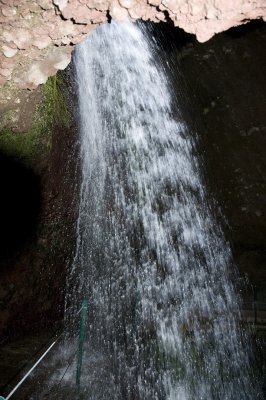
[20, 203]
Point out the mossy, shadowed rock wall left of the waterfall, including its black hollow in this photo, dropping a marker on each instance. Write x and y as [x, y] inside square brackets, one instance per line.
[38, 164]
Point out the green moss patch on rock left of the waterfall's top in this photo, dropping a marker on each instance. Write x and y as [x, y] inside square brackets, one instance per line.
[37, 141]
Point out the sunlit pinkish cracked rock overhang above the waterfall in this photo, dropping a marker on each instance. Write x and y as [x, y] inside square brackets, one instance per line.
[37, 37]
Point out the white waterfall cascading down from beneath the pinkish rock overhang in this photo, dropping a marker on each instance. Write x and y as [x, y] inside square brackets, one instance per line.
[163, 313]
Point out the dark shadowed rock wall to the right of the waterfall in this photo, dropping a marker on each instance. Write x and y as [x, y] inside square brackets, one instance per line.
[225, 82]
